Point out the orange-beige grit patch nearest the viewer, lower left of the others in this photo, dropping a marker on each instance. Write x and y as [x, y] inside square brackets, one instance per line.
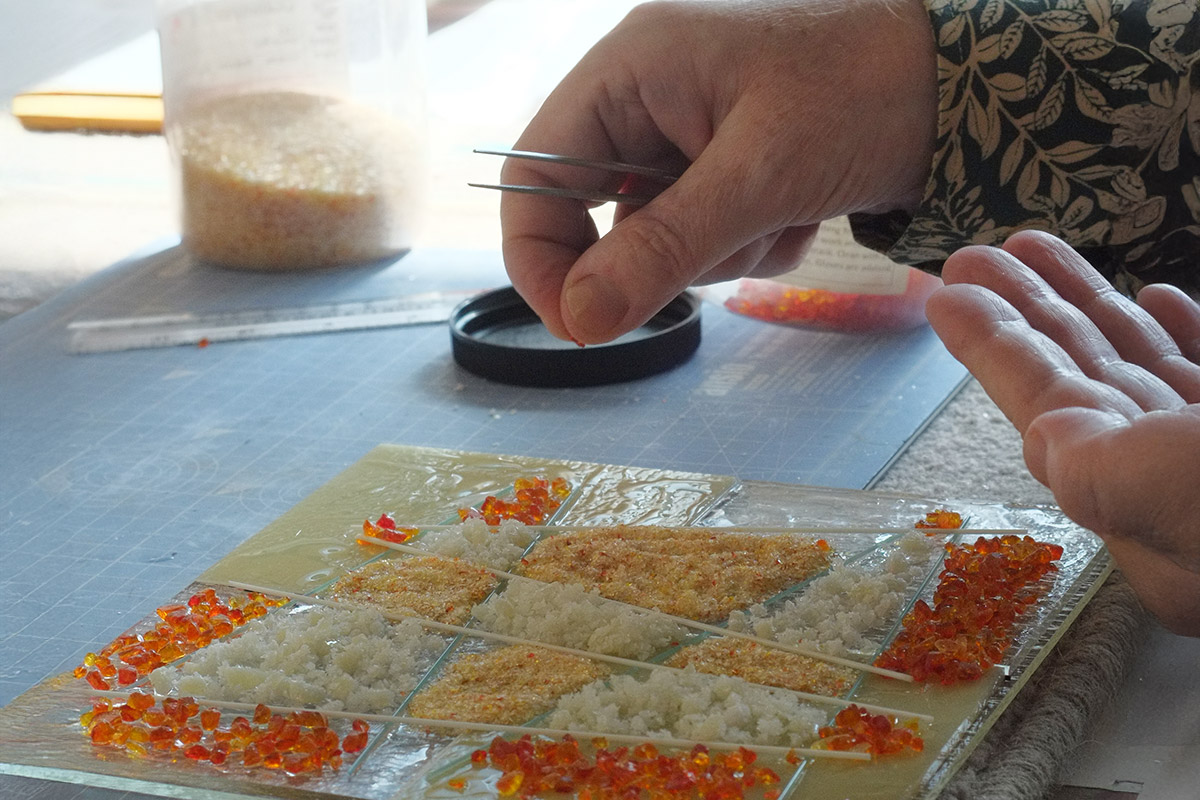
[506, 687]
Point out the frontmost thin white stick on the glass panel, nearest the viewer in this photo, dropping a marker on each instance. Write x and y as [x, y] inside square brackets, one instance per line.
[461, 725]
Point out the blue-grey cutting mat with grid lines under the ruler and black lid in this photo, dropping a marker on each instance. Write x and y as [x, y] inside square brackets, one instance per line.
[125, 476]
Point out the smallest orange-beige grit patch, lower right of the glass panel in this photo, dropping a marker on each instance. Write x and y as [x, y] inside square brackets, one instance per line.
[763, 665]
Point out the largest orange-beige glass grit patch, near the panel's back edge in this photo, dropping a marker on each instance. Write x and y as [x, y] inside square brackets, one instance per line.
[694, 573]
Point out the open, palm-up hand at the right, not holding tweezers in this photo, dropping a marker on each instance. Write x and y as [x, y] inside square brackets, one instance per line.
[1106, 394]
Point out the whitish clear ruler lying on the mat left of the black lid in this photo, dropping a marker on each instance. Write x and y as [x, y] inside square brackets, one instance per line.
[202, 329]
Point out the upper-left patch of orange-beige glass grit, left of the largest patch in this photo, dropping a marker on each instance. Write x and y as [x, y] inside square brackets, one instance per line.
[421, 586]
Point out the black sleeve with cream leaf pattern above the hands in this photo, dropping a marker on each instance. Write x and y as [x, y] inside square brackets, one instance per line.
[1076, 117]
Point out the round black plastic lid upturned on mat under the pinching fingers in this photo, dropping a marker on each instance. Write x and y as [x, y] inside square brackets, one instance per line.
[500, 338]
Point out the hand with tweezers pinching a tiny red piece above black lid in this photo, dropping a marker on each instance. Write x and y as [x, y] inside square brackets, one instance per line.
[784, 113]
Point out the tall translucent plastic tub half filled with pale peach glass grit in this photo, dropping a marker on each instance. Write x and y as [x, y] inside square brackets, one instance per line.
[298, 129]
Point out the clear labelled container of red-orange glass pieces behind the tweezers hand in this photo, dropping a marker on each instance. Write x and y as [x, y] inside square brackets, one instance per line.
[841, 286]
